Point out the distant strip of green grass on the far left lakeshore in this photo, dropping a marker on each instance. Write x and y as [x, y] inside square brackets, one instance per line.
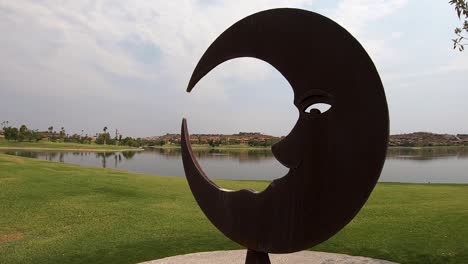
[58, 145]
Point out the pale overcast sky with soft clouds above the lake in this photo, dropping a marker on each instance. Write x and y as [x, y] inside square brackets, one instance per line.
[126, 65]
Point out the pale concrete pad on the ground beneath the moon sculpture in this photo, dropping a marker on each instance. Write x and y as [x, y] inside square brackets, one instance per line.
[239, 257]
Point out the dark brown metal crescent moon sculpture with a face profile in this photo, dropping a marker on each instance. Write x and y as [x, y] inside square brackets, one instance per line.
[334, 157]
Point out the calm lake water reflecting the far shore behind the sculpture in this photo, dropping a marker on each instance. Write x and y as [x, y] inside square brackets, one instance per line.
[424, 165]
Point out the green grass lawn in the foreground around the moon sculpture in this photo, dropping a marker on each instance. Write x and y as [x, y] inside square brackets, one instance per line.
[60, 213]
